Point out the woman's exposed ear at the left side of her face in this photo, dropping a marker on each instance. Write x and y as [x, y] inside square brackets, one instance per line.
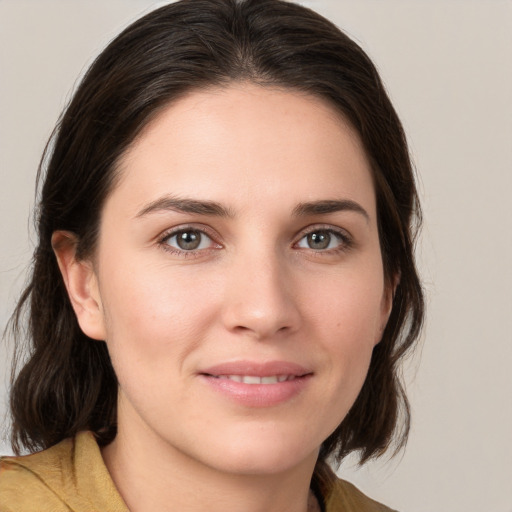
[81, 284]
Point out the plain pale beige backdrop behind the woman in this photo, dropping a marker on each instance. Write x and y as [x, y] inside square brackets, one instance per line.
[447, 65]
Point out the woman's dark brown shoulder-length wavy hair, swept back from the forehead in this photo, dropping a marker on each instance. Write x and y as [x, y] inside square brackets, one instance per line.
[67, 383]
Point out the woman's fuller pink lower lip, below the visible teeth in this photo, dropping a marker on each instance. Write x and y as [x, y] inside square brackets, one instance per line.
[258, 395]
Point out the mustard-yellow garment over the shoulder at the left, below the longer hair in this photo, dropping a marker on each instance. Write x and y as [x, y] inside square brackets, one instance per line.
[68, 476]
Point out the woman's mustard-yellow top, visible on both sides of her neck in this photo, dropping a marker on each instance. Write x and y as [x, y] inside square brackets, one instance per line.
[71, 477]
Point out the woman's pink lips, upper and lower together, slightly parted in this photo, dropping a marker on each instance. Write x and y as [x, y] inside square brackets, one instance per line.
[257, 395]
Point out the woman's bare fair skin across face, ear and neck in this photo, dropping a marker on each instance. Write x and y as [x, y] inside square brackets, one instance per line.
[254, 290]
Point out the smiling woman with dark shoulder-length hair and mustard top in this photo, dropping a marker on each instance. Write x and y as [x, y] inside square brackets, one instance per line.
[224, 284]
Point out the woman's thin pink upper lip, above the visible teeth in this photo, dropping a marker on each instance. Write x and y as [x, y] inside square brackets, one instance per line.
[265, 369]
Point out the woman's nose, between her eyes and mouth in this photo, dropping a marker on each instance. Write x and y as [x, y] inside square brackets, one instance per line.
[259, 298]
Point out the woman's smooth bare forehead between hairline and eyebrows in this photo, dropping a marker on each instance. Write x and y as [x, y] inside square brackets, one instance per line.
[246, 142]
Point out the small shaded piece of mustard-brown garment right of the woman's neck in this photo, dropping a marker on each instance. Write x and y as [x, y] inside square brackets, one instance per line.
[342, 496]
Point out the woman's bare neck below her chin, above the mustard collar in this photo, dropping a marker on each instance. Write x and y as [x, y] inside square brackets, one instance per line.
[151, 475]
